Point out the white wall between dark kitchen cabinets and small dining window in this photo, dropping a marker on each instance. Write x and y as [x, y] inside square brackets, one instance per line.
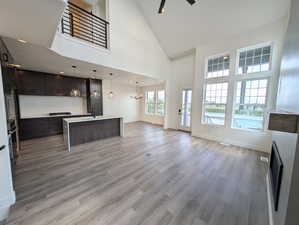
[121, 104]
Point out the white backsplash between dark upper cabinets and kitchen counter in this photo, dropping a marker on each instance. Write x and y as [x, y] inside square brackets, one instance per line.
[35, 106]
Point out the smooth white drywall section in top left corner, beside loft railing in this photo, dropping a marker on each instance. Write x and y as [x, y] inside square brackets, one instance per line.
[35, 21]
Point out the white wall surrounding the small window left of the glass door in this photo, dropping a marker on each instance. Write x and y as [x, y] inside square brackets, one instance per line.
[154, 119]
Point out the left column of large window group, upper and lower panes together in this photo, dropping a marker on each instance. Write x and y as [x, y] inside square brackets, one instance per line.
[216, 90]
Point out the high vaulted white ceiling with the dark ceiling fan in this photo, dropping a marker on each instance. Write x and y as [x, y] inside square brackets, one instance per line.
[183, 27]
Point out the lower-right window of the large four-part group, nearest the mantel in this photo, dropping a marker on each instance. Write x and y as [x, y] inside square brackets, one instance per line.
[250, 104]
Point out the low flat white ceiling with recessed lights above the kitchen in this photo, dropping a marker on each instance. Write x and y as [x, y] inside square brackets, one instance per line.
[37, 58]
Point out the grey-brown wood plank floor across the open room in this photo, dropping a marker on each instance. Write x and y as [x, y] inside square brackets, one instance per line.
[149, 177]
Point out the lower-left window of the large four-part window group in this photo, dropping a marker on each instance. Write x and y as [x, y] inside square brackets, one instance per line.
[215, 103]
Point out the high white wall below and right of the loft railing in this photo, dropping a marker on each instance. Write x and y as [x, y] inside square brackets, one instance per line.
[133, 46]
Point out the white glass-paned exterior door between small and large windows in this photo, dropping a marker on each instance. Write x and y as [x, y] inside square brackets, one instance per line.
[185, 110]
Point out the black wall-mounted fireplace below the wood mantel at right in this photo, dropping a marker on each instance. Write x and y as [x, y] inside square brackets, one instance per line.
[276, 168]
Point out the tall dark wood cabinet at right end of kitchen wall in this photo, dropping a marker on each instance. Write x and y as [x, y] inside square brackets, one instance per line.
[95, 101]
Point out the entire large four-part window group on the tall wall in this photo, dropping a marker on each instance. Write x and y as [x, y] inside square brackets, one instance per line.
[248, 101]
